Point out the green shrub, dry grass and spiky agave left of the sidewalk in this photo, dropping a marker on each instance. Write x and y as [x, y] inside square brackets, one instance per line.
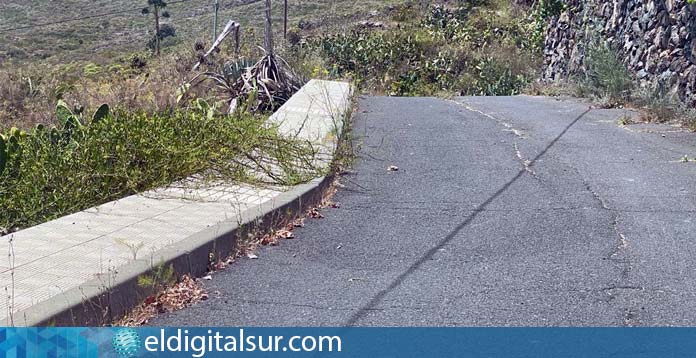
[161, 125]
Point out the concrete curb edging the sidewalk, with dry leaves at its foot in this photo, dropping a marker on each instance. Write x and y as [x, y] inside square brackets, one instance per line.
[99, 302]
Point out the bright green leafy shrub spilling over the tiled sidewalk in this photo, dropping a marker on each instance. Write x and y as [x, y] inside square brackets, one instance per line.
[50, 172]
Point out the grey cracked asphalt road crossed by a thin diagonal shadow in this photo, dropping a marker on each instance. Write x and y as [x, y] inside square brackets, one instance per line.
[505, 211]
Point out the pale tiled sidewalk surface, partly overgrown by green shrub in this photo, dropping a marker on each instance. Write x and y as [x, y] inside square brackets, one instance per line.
[49, 259]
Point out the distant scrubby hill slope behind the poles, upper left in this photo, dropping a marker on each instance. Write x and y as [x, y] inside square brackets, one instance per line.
[82, 30]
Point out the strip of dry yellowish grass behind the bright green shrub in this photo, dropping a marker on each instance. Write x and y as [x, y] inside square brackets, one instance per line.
[29, 95]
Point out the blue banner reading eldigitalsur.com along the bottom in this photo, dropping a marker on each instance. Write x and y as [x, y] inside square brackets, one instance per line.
[347, 342]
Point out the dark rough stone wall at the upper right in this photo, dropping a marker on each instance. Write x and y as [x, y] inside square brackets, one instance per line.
[656, 40]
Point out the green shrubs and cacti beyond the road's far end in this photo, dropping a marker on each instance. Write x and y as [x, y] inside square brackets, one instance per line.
[471, 49]
